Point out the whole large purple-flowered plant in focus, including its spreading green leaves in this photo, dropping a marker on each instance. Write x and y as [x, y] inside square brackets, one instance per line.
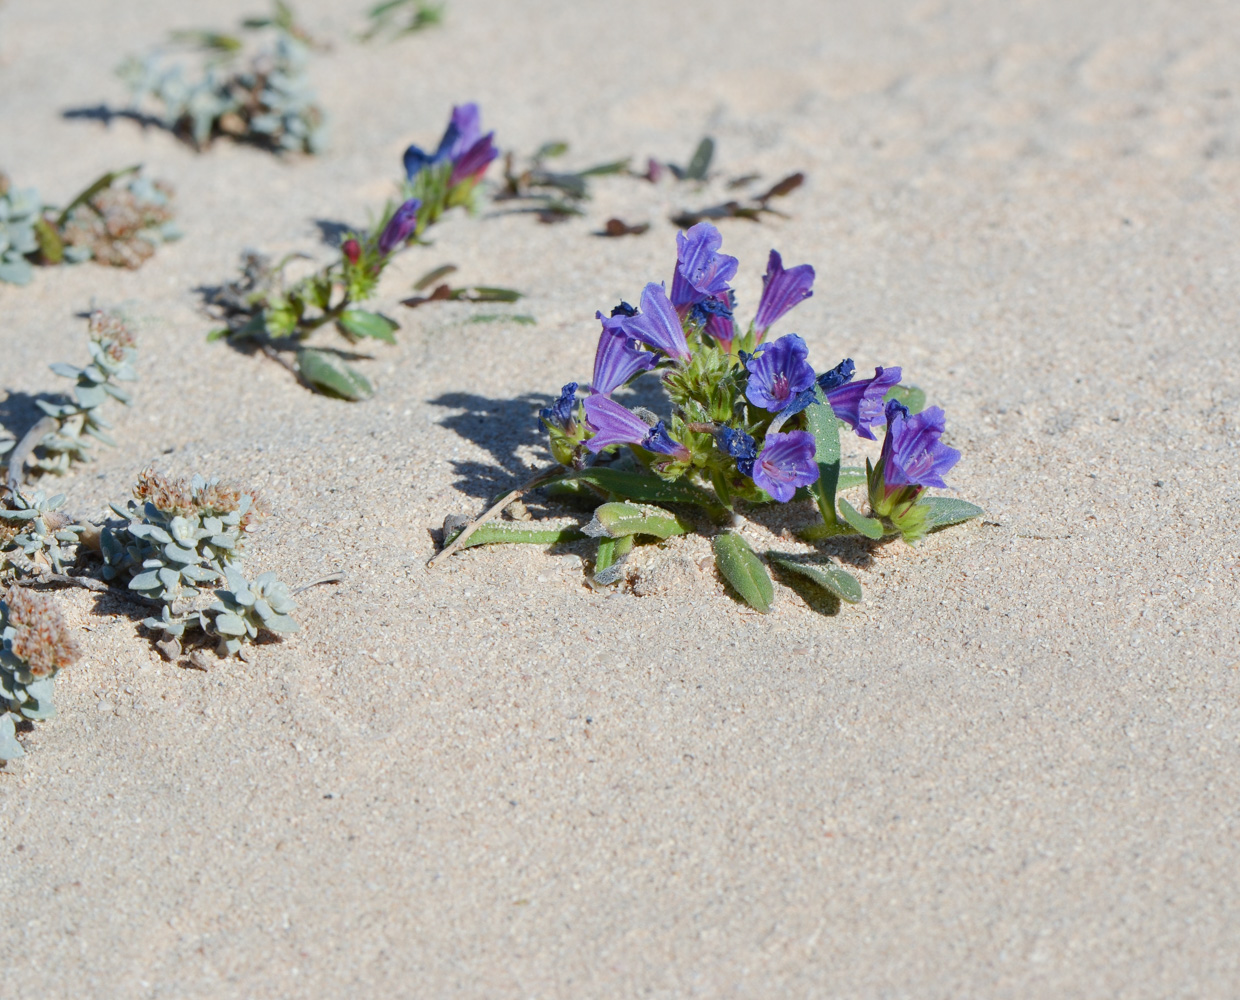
[751, 422]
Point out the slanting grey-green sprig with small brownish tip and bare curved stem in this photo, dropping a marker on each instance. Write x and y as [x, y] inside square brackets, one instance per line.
[65, 434]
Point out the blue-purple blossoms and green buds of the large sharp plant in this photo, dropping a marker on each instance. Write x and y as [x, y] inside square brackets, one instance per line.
[738, 417]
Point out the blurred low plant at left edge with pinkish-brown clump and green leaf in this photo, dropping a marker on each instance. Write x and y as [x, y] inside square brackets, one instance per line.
[121, 220]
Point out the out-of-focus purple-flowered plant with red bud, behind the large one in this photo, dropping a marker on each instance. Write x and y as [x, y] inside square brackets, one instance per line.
[280, 317]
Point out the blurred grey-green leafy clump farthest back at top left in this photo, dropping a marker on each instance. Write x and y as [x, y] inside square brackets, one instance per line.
[267, 101]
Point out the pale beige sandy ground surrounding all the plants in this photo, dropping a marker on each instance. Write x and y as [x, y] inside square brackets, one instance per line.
[1011, 772]
